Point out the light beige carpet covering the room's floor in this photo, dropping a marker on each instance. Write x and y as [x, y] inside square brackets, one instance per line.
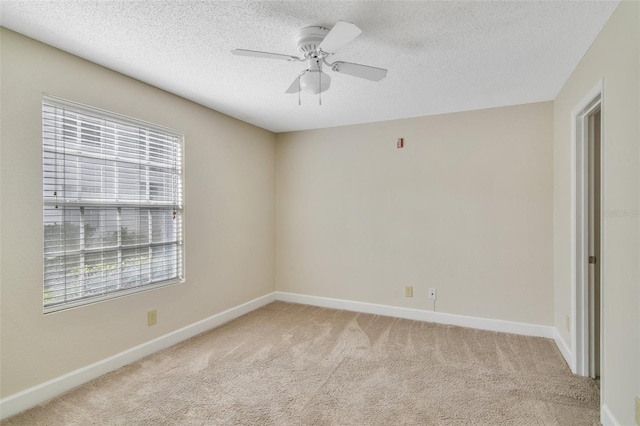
[289, 364]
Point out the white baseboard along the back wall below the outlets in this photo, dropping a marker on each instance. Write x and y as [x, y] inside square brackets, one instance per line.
[421, 315]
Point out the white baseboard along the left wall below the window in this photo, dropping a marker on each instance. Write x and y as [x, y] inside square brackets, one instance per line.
[33, 396]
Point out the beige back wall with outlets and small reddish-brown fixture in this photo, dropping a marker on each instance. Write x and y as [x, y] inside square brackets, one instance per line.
[465, 207]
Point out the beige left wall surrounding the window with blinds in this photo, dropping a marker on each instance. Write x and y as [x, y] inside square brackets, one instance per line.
[229, 217]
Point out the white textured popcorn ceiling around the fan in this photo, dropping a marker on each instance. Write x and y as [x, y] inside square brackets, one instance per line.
[441, 56]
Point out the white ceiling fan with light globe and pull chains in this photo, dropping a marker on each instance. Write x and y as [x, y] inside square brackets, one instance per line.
[316, 44]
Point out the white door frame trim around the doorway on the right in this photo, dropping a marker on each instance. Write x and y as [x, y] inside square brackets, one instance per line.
[579, 230]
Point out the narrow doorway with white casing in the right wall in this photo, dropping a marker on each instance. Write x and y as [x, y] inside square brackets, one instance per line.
[587, 235]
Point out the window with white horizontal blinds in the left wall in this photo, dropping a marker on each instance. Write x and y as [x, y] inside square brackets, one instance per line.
[112, 205]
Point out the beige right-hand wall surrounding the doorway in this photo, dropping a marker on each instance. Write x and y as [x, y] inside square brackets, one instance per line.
[614, 58]
